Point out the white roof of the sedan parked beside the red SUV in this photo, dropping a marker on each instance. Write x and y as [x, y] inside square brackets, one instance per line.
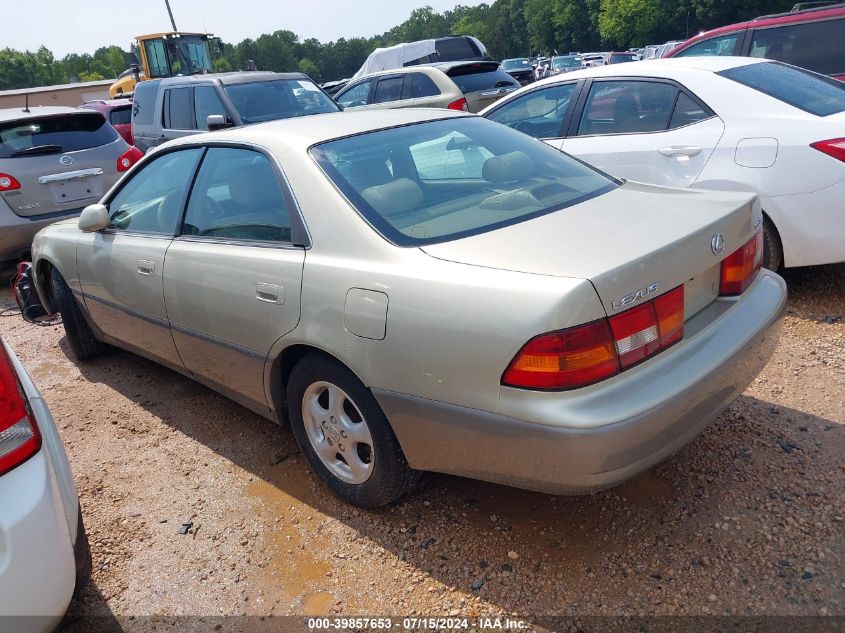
[661, 68]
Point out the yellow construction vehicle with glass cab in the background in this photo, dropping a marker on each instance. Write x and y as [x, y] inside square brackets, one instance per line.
[165, 55]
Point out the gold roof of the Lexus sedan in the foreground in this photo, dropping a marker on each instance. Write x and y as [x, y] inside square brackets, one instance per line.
[300, 133]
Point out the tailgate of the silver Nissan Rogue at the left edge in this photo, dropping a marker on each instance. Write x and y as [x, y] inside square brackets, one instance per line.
[62, 162]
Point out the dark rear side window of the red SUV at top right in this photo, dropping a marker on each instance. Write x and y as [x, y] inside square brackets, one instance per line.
[816, 46]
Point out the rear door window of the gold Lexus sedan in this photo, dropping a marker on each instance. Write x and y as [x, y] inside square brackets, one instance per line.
[237, 196]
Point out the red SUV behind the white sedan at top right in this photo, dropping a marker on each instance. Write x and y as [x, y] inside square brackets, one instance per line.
[813, 39]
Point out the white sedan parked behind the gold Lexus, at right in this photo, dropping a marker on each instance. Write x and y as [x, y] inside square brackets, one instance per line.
[726, 123]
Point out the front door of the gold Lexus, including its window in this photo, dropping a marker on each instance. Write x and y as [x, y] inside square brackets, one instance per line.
[120, 268]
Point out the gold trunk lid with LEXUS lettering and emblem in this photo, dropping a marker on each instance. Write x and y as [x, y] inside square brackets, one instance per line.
[632, 244]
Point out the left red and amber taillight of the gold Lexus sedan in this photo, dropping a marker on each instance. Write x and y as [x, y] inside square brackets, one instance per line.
[586, 354]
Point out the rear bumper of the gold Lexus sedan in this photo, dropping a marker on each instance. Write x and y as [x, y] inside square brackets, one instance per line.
[593, 438]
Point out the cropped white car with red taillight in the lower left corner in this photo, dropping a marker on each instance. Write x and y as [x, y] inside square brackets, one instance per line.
[43, 548]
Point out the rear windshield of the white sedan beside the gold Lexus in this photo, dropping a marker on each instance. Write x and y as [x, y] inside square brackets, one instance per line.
[800, 88]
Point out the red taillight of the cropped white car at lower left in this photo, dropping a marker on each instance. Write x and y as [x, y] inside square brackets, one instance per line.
[19, 436]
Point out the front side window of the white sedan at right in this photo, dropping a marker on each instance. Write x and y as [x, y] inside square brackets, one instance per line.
[539, 113]
